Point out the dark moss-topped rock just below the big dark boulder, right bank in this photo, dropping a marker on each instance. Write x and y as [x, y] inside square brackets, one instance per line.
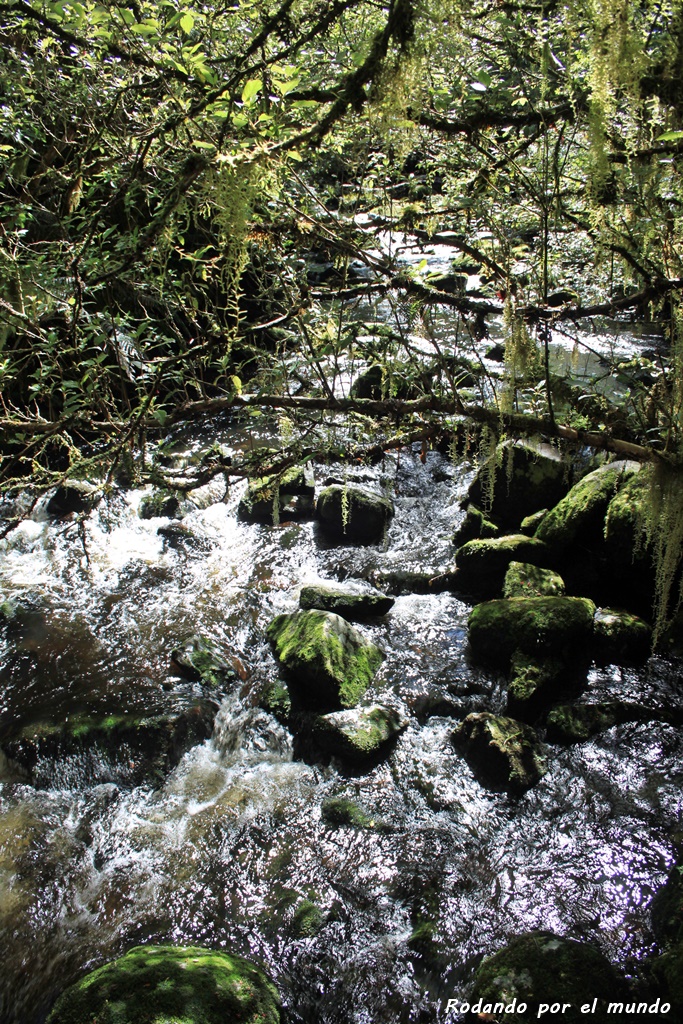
[482, 565]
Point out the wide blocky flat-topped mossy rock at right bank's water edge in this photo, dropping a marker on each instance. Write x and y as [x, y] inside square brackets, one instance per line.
[543, 627]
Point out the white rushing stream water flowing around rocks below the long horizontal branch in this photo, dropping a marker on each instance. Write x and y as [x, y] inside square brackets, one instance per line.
[233, 850]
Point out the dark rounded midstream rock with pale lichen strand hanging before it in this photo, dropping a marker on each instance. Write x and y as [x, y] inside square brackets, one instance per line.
[351, 514]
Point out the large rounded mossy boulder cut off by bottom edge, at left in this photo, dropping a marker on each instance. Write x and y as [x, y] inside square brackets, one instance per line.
[172, 986]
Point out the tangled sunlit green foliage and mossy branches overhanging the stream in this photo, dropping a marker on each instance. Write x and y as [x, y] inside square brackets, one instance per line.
[194, 197]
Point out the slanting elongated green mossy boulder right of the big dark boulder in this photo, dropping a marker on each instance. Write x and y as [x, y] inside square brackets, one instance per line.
[579, 518]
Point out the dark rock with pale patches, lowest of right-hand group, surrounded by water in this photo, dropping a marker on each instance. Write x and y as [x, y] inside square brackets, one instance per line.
[503, 753]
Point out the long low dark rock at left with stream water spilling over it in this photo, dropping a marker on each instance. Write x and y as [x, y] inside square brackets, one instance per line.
[139, 749]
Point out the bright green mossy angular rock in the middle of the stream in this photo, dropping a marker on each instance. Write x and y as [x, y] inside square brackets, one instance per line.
[330, 664]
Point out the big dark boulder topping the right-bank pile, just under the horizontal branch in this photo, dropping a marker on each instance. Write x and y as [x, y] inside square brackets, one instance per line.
[527, 478]
